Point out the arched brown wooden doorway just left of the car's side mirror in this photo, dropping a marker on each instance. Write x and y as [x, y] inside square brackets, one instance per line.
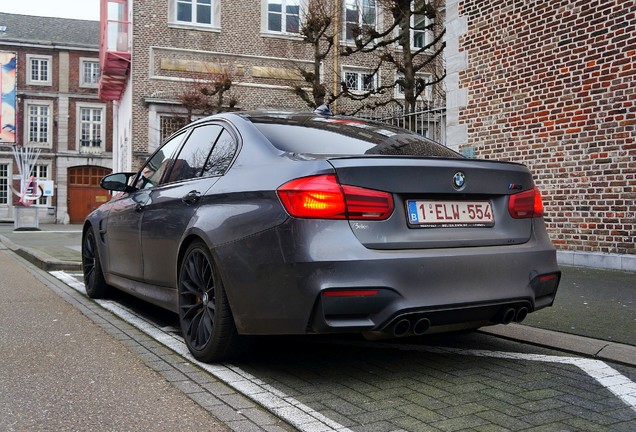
[84, 192]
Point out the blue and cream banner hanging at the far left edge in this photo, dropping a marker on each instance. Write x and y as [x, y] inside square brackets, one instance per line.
[8, 97]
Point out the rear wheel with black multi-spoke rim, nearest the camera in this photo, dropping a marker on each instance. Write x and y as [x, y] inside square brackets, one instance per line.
[205, 317]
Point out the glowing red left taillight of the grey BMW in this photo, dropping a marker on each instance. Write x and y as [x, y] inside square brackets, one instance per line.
[322, 197]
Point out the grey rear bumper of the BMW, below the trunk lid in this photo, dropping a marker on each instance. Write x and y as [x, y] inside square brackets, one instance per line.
[281, 290]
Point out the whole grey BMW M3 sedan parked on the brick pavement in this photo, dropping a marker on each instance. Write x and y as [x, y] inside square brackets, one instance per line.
[278, 223]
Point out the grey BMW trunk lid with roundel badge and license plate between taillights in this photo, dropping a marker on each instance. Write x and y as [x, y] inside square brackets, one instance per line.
[439, 203]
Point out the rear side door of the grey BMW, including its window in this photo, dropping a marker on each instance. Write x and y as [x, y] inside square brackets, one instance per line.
[173, 204]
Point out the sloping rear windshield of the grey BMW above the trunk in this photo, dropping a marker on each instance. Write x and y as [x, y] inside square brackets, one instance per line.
[343, 136]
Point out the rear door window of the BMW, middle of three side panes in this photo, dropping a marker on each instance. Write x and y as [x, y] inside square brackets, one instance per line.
[195, 152]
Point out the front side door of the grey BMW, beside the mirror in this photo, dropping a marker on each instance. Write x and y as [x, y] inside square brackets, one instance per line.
[123, 228]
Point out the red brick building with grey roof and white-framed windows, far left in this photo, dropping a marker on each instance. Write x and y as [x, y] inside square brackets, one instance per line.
[58, 112]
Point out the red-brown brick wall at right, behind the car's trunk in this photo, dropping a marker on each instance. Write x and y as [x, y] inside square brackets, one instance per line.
[552, 84]
